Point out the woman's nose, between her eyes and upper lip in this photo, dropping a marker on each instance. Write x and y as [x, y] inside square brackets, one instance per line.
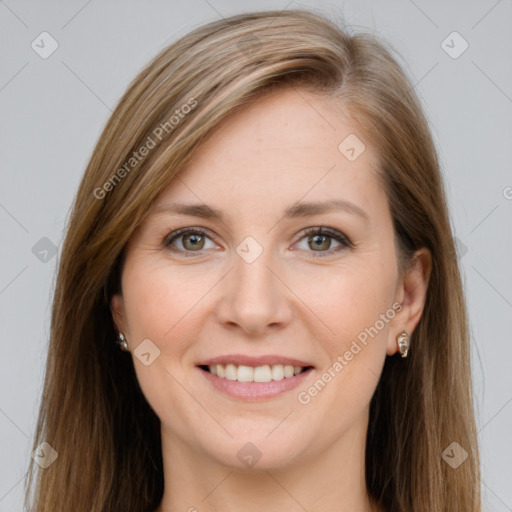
[254, 297]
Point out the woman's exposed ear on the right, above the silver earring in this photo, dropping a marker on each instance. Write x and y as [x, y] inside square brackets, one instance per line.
[412, 294]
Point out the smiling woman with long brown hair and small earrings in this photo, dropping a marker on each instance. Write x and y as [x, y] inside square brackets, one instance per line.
[263, 230]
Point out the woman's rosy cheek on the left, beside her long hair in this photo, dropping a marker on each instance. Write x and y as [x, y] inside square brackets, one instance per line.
[163, 305]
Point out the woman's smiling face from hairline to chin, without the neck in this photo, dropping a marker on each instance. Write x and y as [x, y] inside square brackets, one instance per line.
[302, 299]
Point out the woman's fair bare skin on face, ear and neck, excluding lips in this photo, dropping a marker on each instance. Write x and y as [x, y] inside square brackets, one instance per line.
[266, 157]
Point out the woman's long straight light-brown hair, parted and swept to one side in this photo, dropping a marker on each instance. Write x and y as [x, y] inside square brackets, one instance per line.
[93, 412]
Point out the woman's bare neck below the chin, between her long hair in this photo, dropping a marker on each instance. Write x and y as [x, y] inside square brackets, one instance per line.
[333, 480]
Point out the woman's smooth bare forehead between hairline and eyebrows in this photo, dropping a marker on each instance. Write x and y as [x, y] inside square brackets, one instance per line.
[288, 145]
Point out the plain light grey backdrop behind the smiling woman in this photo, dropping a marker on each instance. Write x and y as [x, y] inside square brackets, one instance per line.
[52, 111]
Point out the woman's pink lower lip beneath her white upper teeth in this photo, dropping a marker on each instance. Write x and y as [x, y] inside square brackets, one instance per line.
[252, 391]
